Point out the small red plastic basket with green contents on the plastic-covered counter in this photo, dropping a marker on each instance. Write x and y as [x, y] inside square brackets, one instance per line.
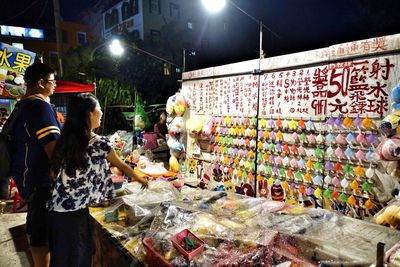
[179, 244]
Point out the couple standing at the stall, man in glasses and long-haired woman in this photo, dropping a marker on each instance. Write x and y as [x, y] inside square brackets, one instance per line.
[61, 170]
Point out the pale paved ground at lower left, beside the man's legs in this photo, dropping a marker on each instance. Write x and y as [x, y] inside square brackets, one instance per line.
[14, 249]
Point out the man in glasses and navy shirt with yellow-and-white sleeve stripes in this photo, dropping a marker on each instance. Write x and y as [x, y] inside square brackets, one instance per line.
[34, 136]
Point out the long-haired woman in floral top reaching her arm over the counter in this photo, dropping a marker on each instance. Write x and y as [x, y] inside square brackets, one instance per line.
[82, 178]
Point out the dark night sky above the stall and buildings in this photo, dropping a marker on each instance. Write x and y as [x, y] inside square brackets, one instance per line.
[300, 25]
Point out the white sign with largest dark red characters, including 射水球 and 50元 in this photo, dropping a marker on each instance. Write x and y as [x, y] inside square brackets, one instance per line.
[361, 86]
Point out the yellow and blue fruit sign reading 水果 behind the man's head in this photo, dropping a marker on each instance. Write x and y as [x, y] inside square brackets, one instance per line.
[13, 63]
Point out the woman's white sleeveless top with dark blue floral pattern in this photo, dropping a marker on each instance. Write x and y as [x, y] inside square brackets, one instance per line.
[86, 187]
